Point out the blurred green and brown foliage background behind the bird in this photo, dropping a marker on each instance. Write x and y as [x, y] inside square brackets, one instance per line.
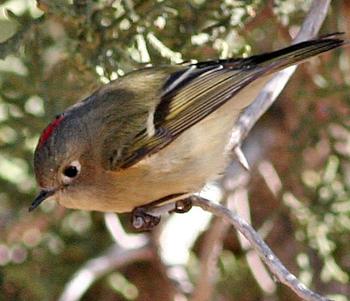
[54, 53]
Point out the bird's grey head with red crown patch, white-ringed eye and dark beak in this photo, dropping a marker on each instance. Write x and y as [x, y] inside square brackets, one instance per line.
[61, 159]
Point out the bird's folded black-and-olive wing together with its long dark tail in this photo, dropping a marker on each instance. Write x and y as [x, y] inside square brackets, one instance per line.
[191, 94]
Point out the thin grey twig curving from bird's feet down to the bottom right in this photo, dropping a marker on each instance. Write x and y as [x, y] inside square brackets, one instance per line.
[270, 259]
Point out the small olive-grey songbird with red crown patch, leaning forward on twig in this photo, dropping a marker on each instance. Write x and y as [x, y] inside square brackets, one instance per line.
[158, 133]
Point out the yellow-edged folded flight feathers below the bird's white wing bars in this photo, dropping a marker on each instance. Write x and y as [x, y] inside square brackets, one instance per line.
[187, 106]
